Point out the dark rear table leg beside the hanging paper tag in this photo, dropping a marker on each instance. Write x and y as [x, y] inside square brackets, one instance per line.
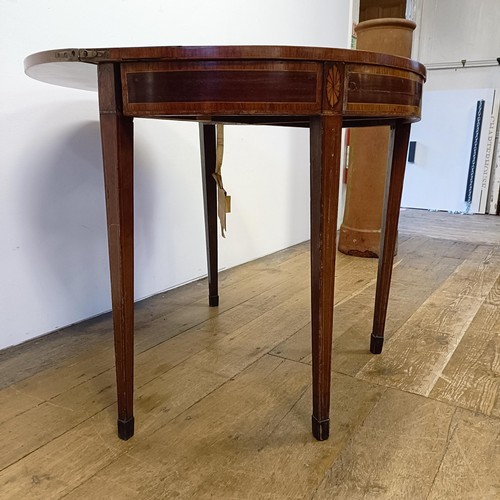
[208, 163]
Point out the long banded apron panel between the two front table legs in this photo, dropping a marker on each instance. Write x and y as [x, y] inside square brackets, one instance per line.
[214, 87]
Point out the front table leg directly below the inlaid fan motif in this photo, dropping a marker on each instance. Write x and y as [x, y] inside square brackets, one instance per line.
[325, 168]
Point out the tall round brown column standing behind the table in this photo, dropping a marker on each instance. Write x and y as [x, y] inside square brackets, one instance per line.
[360, 230]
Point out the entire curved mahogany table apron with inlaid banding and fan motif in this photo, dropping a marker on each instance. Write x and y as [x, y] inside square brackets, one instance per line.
[272, 88]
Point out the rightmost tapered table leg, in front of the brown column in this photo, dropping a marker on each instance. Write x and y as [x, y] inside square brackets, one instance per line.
[400, 136]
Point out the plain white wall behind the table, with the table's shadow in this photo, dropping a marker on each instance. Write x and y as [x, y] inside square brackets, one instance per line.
[53, 249]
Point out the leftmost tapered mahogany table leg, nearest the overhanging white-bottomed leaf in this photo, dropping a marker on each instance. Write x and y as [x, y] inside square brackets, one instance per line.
[117, 147]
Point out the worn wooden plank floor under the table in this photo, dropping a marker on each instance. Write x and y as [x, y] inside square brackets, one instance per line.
[223, 397]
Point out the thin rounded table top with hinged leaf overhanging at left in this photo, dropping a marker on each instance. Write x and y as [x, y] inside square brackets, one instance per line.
[64, 67]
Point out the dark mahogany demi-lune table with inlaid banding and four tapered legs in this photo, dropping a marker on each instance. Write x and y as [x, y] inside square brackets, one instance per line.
[320, 88]
